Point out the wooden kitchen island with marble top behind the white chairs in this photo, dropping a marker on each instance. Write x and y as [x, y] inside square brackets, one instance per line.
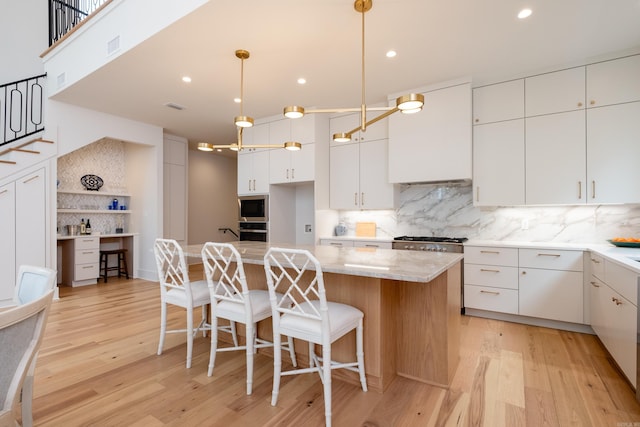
[410, 301]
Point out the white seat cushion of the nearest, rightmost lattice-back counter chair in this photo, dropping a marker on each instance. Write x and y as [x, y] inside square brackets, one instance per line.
[342, 319]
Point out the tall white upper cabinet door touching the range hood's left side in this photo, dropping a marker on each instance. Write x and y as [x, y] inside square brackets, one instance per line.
[375, 190]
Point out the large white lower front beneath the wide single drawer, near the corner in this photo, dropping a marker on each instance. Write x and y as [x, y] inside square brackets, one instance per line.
[551, 294]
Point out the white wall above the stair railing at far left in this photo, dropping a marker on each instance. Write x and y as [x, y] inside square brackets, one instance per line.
[22, 44]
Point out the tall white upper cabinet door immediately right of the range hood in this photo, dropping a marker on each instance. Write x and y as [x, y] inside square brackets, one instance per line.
[498, 164]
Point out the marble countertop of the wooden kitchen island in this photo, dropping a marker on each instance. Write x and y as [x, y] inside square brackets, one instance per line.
[410, 266]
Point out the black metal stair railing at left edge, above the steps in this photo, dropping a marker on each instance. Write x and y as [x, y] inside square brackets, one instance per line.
[21, 108]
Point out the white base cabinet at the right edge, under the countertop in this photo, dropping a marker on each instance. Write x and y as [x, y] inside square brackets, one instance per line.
[614, 317]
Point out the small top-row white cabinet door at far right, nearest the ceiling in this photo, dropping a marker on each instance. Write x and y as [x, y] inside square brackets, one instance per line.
[613, 82]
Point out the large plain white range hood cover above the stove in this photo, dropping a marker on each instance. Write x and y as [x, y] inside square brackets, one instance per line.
[434, 144]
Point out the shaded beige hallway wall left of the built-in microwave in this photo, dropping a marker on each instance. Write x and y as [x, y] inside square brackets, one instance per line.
[213, 200]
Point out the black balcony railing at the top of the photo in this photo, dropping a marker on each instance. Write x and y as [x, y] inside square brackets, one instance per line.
[64, 15]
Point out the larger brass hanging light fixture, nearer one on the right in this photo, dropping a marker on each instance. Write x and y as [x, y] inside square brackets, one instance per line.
[407, 104]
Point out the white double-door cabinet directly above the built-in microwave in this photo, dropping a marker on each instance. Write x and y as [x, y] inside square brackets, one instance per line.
[253, 172]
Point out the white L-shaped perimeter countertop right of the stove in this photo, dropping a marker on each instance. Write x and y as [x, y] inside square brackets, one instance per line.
[626, 257]
